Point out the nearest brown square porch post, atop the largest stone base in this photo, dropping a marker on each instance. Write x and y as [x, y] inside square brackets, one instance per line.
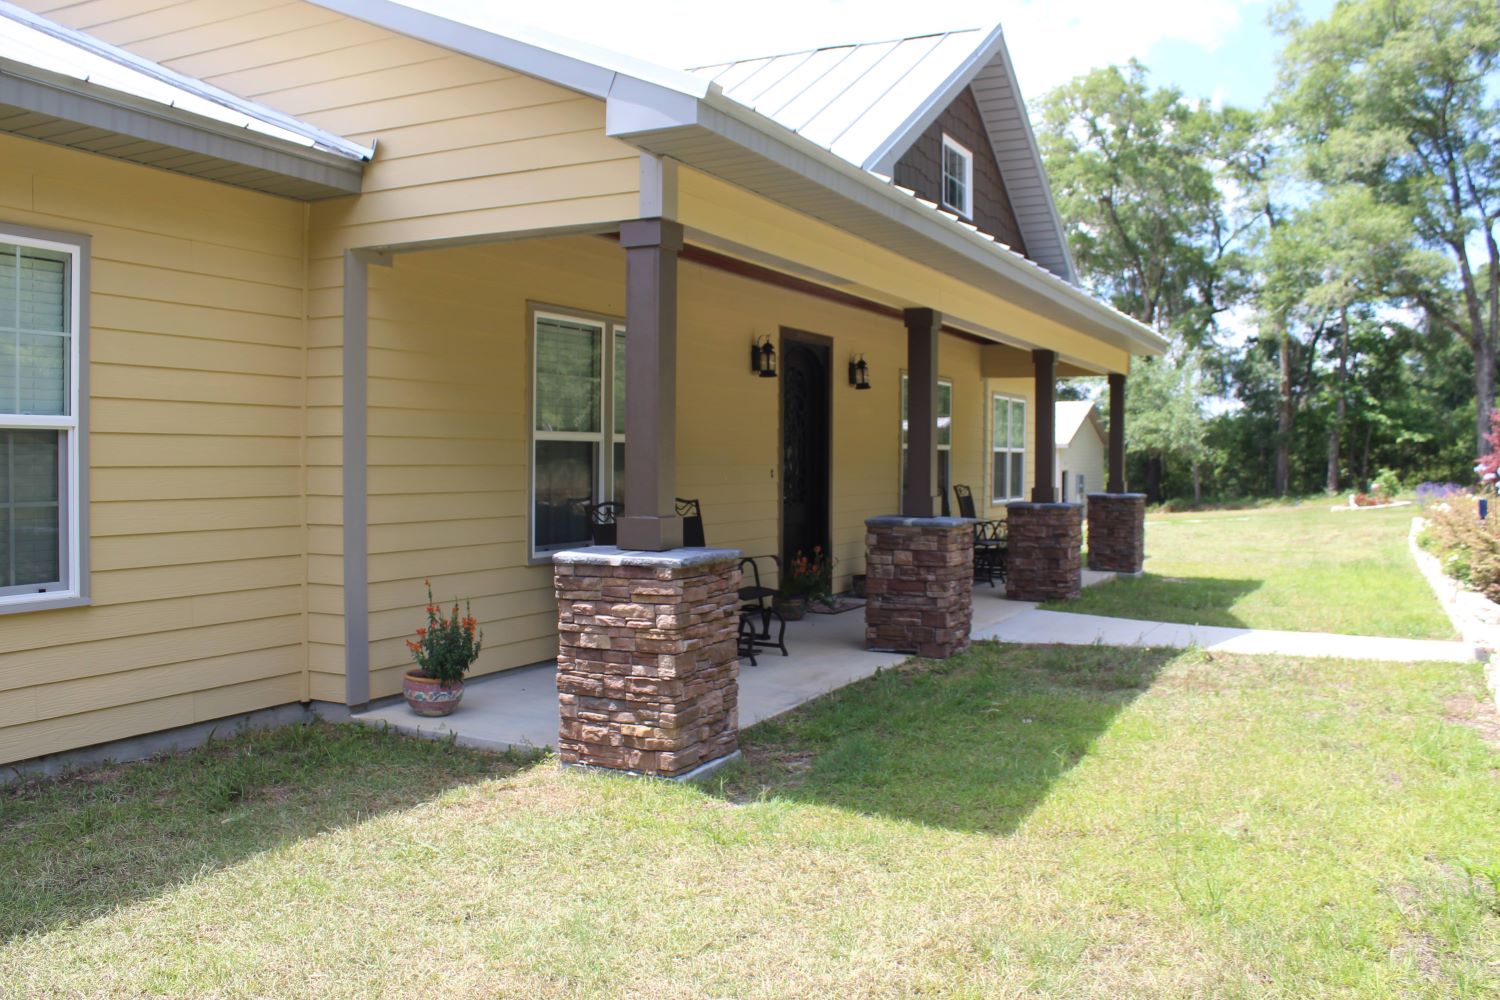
[650, 522]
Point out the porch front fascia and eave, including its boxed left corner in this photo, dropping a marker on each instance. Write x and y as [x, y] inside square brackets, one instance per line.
[766, 139]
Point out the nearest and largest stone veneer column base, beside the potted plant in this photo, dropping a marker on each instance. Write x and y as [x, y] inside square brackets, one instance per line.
[649, 672]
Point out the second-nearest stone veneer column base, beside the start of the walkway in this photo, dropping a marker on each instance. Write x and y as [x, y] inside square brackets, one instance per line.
[919, 585]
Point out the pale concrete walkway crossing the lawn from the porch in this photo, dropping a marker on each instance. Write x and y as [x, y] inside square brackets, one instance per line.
[1024, 623]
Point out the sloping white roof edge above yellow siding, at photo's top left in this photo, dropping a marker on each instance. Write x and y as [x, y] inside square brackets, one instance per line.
[529, 50]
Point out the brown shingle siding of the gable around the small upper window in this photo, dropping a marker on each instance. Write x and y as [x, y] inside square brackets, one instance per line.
[920, 169]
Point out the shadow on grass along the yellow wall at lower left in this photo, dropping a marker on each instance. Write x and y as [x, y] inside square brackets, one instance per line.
[85, 845]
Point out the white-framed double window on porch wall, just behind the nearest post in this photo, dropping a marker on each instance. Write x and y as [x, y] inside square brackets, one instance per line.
[578, 440]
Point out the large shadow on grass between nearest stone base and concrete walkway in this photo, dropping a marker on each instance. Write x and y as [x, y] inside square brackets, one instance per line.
[968, 744]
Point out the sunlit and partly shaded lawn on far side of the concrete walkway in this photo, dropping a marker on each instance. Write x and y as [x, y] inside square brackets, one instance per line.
[1306, 569]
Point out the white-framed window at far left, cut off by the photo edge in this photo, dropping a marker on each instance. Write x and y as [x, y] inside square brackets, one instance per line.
[41, 518]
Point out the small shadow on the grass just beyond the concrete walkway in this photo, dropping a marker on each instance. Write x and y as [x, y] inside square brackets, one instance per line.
[1190, 600]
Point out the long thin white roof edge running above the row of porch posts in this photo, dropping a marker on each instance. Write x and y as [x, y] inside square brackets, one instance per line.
[980, 248]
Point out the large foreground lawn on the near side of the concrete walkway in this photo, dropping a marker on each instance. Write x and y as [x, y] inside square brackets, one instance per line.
[1037, 822]
